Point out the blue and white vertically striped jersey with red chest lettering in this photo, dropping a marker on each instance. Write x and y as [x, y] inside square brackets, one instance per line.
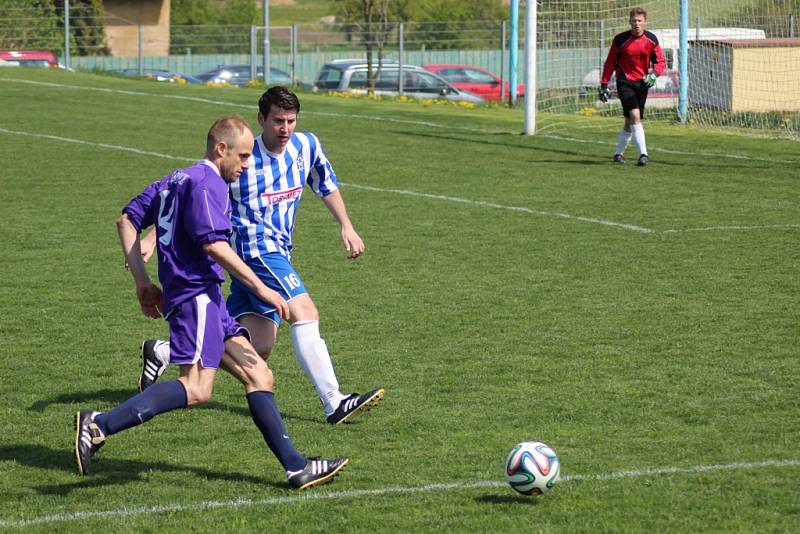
[266, 197]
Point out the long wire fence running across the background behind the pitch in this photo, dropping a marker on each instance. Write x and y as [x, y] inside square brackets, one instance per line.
[570, 52]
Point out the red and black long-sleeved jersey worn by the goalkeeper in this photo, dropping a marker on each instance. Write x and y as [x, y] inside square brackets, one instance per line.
[631, 57]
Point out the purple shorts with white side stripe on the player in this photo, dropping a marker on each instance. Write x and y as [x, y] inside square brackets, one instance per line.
[198, 328]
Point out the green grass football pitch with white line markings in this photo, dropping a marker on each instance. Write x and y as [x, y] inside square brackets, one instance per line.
[643, 321]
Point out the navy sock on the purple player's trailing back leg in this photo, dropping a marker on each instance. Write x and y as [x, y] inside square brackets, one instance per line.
[158, 398]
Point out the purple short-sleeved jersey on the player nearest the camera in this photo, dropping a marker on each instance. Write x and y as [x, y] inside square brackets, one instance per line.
[190, 208]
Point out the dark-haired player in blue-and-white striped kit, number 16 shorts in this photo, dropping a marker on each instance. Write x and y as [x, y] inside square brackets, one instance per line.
[265, 201]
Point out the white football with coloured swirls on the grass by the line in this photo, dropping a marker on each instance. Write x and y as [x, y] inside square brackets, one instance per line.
[532, 467]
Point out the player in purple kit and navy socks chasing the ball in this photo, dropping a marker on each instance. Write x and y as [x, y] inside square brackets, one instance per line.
[191, 210]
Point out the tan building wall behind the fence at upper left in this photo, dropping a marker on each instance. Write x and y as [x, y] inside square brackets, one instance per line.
[123, 18]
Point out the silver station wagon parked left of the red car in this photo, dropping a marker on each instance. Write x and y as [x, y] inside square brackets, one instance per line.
[350, 75]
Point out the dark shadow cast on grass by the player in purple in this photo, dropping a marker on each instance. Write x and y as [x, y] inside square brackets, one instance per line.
[111, 472]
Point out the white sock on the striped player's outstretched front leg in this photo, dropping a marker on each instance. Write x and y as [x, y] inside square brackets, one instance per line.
[312, 353]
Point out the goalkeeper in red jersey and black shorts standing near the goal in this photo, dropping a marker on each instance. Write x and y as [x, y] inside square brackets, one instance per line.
[637, 59]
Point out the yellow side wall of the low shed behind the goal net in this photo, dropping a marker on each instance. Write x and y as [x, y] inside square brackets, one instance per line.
[766, 79]
